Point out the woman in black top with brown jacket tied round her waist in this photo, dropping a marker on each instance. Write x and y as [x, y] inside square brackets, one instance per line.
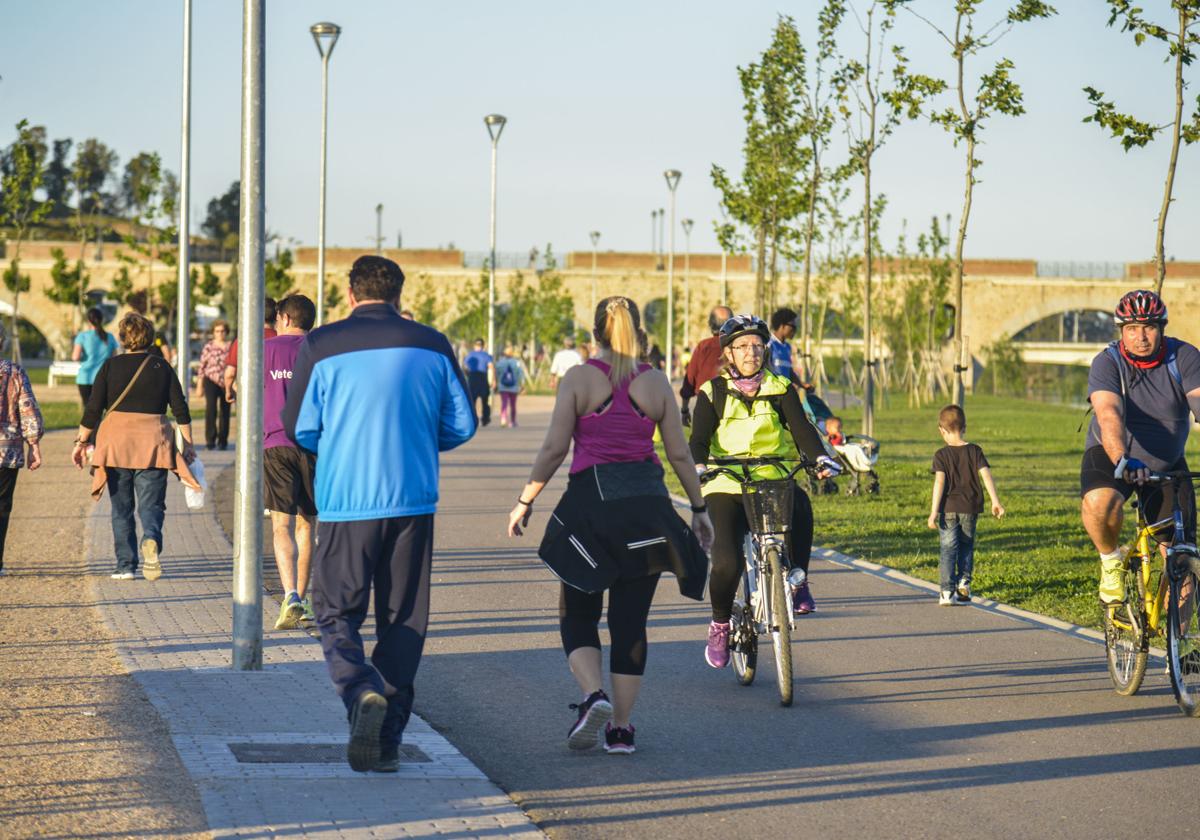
[136, 445]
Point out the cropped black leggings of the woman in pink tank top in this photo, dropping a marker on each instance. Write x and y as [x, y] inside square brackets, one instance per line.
[629, 605]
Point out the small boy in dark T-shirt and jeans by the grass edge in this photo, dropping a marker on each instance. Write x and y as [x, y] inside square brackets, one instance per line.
[958, 501]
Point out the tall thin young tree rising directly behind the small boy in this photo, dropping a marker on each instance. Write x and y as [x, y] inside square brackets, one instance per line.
[998, 93]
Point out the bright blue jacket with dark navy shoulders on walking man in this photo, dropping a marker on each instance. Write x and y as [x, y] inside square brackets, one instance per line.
[377, 398]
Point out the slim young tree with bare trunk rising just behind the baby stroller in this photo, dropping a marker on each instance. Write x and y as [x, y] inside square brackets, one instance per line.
[873, 110]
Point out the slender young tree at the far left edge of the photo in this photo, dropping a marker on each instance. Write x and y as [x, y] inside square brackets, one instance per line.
[25, 172]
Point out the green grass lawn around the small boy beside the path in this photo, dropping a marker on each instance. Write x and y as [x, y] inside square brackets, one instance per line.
[1039, 557]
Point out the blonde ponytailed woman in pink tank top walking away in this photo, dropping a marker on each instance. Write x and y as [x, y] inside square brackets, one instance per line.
[615, 527]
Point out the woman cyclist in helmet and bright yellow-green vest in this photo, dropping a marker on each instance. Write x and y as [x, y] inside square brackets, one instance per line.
[748, 412]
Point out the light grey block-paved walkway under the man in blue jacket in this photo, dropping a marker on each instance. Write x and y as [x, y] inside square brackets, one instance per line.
[173, 635]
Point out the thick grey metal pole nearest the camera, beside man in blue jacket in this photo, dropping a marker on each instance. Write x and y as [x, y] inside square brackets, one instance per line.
[248, 566]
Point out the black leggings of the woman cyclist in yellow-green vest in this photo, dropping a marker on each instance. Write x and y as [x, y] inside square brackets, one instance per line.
[730, 526]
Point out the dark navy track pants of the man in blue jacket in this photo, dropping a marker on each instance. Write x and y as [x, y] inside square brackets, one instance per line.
[394, 556]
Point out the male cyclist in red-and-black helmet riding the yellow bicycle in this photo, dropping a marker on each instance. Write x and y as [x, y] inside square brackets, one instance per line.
[1141, 388]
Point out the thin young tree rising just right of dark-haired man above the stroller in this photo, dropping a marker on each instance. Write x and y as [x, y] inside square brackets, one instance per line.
[818, 116]
